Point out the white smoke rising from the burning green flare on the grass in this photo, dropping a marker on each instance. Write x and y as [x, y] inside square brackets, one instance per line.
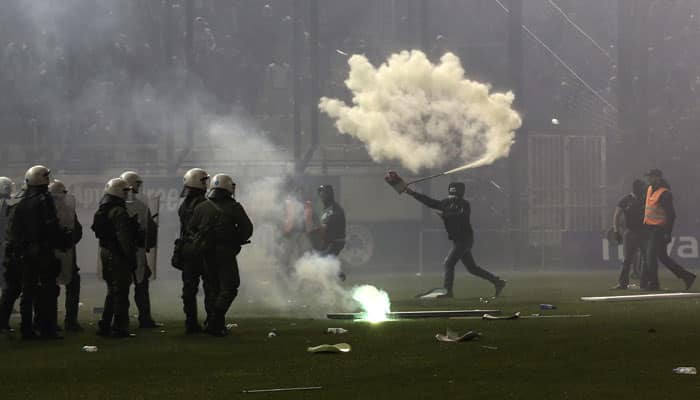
[311, 289]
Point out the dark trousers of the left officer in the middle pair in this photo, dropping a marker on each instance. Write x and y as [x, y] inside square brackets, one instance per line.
[117, 275]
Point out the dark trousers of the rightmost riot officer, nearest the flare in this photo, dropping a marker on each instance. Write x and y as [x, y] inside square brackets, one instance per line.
[222, 283]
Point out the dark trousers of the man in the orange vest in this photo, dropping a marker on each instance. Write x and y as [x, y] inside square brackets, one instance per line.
[657, 250]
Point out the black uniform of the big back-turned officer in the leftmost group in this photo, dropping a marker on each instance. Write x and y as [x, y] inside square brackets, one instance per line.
[33, 234]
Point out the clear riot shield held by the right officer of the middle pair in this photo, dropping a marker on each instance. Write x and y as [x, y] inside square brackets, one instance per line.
[140, 207]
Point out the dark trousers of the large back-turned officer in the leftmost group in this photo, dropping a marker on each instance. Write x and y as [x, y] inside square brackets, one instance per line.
[39, 291]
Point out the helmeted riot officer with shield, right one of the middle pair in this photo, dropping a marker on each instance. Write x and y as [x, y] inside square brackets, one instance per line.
[146, 241]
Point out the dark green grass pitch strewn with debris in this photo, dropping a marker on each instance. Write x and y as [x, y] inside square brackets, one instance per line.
[624, 351]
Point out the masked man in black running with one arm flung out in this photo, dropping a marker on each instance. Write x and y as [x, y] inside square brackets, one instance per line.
[455, 212]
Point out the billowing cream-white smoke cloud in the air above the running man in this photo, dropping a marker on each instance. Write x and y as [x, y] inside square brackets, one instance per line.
[424, 115]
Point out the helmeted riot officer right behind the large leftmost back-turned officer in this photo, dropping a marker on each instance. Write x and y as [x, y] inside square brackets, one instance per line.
[70, 273]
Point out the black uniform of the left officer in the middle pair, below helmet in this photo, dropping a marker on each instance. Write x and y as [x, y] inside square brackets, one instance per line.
[116, 233]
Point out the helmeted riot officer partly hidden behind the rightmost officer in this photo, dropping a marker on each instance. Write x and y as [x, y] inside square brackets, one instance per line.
[194, 191]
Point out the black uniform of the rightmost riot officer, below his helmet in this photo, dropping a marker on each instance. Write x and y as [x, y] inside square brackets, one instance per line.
[222, 227]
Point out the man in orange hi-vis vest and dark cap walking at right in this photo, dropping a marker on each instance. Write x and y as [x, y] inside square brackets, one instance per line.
[659, 217]
